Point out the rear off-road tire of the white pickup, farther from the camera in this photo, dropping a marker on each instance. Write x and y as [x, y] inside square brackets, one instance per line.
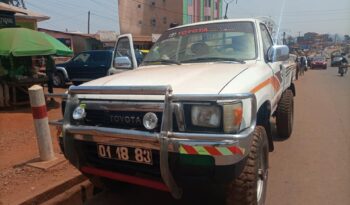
[285, 115]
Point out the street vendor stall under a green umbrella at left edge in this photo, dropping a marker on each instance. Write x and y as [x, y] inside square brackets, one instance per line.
[18, 47]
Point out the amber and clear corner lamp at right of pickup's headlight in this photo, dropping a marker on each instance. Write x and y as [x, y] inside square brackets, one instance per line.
[233, 114]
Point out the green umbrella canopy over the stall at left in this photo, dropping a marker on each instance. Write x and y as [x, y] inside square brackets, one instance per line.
[27, 42]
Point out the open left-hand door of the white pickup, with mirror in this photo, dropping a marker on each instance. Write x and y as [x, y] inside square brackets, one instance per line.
[124, 55]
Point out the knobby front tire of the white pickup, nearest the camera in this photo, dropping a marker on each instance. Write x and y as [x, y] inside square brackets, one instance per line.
[243, 189]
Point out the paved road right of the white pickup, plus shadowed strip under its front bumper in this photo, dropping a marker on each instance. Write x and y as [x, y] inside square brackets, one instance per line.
[310, 168]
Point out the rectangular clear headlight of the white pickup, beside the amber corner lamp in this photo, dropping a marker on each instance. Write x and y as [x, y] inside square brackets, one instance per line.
[206, 116]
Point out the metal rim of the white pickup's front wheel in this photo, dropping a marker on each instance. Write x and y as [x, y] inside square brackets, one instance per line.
[261, 179]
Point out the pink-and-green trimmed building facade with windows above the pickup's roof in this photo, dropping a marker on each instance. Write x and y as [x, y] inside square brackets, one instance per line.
[201, 10]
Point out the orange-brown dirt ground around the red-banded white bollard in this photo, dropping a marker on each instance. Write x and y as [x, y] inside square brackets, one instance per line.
[18, 145]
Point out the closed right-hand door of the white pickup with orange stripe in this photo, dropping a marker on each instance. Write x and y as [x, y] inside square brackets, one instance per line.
[277, 67]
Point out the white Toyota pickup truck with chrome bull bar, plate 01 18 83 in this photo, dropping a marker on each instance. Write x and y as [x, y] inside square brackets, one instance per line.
[194, 116]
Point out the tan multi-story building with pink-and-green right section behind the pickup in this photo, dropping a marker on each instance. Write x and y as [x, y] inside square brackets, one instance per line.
[147, 19]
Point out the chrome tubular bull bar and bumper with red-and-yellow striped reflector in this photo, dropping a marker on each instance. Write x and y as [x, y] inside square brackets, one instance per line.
[225, 149]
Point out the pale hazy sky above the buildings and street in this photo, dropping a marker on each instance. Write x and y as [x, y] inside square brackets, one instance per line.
[293, 16]
